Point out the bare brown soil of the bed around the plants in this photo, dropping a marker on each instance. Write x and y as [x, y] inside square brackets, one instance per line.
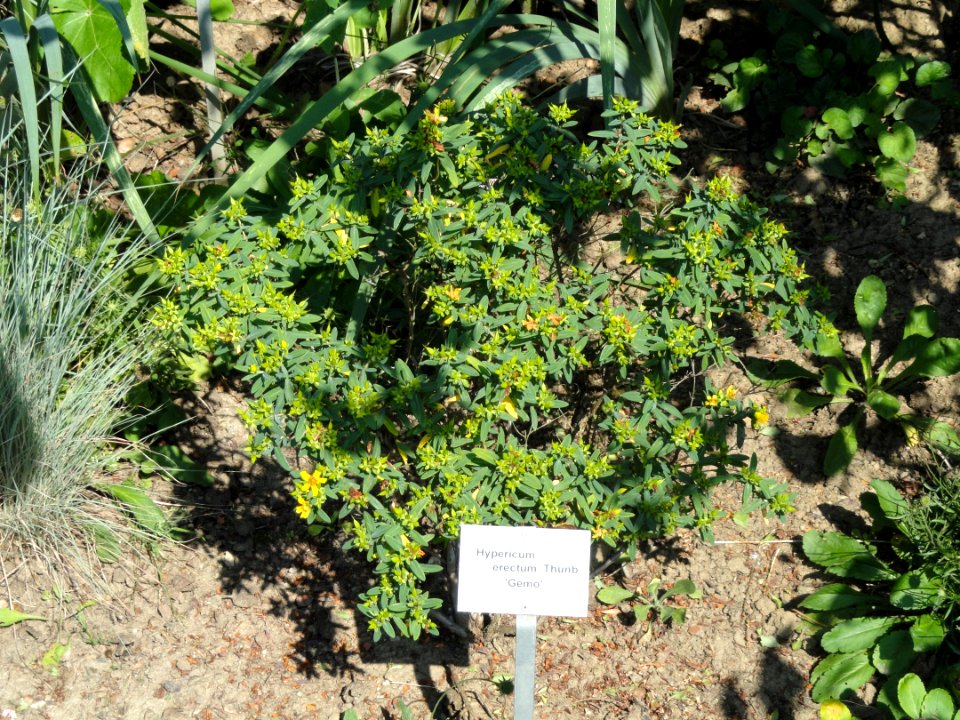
[253, 619]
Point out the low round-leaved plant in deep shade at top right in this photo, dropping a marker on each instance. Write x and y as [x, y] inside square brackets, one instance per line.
[835, 99]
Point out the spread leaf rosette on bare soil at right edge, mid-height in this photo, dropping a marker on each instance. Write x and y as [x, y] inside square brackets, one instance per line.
[867, 382]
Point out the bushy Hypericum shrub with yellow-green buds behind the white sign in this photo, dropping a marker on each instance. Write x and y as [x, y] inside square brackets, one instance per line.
[420, 326]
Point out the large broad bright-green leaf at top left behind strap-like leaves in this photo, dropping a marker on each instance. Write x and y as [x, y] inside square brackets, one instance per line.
[93, 34]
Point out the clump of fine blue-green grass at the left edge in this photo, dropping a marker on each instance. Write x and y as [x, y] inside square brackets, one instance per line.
[70, 348]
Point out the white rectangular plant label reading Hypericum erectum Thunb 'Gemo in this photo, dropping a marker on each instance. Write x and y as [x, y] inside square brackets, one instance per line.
[524, 570]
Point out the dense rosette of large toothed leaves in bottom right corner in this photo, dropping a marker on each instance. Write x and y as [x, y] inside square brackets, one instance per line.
[893, 615]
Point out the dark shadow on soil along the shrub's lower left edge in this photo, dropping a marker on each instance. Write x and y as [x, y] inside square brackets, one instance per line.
[268, 560]
